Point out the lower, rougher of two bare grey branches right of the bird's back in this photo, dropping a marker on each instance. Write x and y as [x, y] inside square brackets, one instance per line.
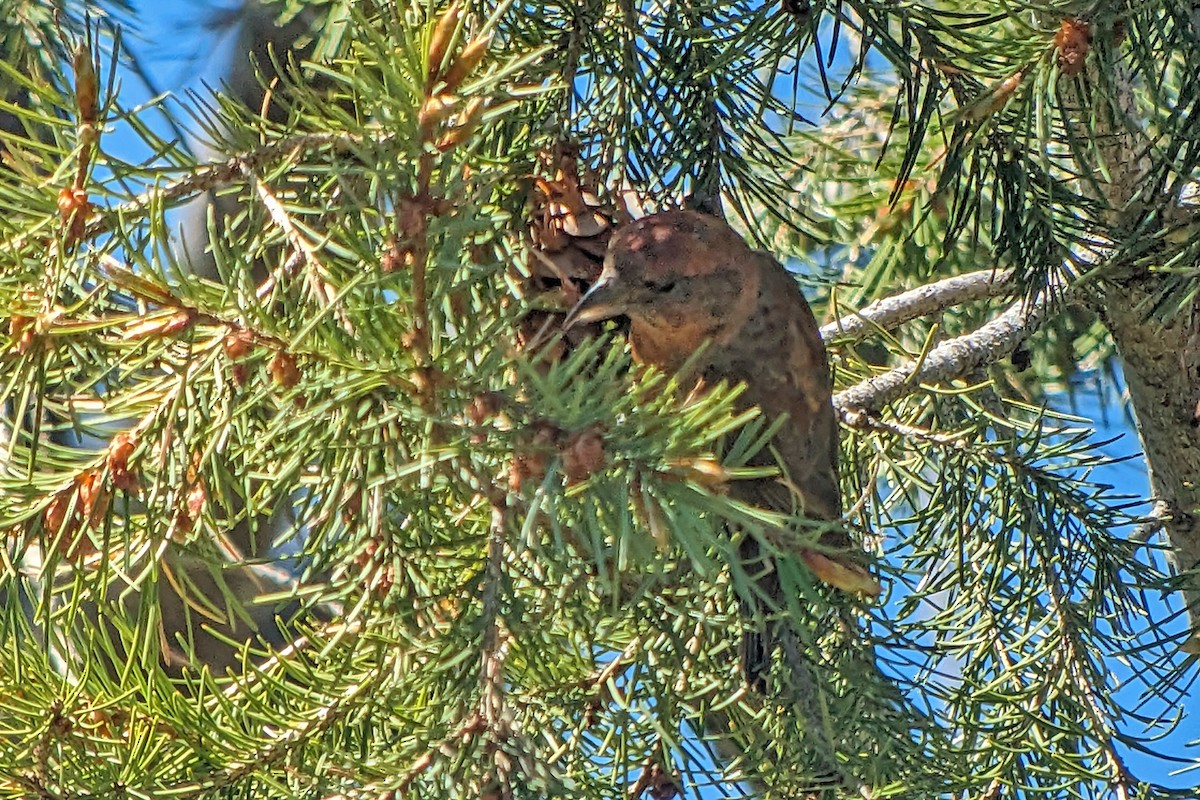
[946, 362]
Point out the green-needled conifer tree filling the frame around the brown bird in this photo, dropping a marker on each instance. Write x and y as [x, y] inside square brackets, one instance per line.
[340, 513]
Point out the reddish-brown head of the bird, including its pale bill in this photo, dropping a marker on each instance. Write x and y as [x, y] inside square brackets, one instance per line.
[679, 273]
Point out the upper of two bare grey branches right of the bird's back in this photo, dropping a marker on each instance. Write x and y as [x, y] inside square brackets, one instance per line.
[922, 302]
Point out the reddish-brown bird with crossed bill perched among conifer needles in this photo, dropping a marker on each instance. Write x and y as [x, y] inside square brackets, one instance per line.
[686, 279]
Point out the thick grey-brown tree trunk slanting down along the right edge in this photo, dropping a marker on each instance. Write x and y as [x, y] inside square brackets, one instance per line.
[1161, 357]
